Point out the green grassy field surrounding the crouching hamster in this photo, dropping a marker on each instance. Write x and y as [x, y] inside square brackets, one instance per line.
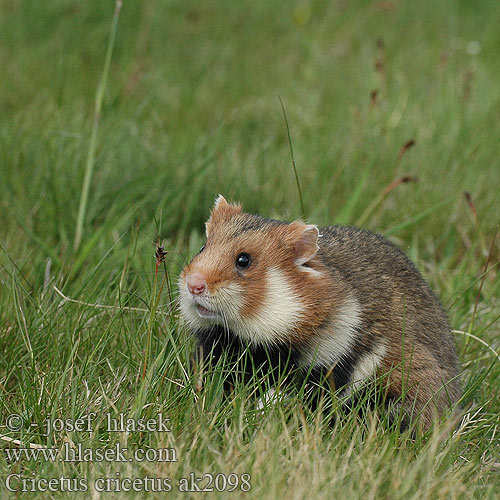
[187, 108]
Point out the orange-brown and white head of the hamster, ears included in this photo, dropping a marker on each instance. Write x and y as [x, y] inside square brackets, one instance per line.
[256, 277]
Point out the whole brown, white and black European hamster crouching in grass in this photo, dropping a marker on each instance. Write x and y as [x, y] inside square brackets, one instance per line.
[336, 300]
